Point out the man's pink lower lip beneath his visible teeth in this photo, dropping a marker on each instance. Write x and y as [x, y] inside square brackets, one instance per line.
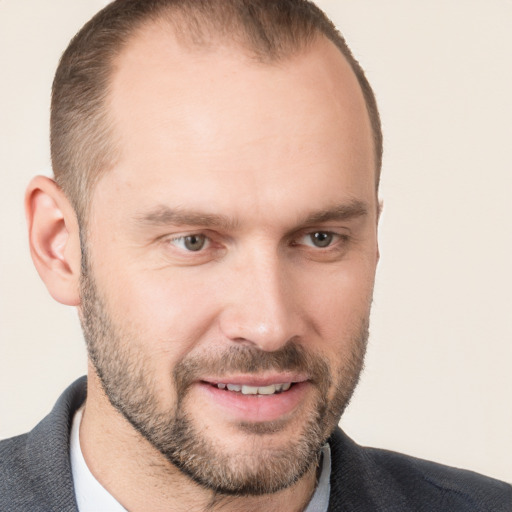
[256, 408]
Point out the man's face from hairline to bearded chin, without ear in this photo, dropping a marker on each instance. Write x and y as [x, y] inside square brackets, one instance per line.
[231, 256]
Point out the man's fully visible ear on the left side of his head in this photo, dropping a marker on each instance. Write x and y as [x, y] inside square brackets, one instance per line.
[54, 239]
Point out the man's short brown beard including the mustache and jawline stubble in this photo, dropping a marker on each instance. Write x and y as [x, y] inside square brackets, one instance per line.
[124, 371]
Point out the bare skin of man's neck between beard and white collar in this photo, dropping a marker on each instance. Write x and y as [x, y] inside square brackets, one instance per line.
[141, 479]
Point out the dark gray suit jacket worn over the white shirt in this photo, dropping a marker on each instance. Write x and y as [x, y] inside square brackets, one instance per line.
[35, 474]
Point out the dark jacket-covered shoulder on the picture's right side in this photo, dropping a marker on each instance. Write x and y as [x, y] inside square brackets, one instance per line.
[394, 481]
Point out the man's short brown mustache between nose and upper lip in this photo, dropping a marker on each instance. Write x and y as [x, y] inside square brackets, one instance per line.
[251, 360]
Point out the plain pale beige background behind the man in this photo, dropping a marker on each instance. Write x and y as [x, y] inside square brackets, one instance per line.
[438, 382]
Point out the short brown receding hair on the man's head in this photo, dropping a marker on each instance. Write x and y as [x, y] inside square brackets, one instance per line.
[82, 142]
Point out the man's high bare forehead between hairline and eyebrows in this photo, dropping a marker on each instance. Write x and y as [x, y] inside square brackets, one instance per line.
[223, 121]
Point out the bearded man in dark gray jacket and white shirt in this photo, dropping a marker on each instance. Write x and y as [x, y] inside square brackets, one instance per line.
[214, 220]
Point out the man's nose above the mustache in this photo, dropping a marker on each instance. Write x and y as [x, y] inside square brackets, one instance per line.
[260, 306]
